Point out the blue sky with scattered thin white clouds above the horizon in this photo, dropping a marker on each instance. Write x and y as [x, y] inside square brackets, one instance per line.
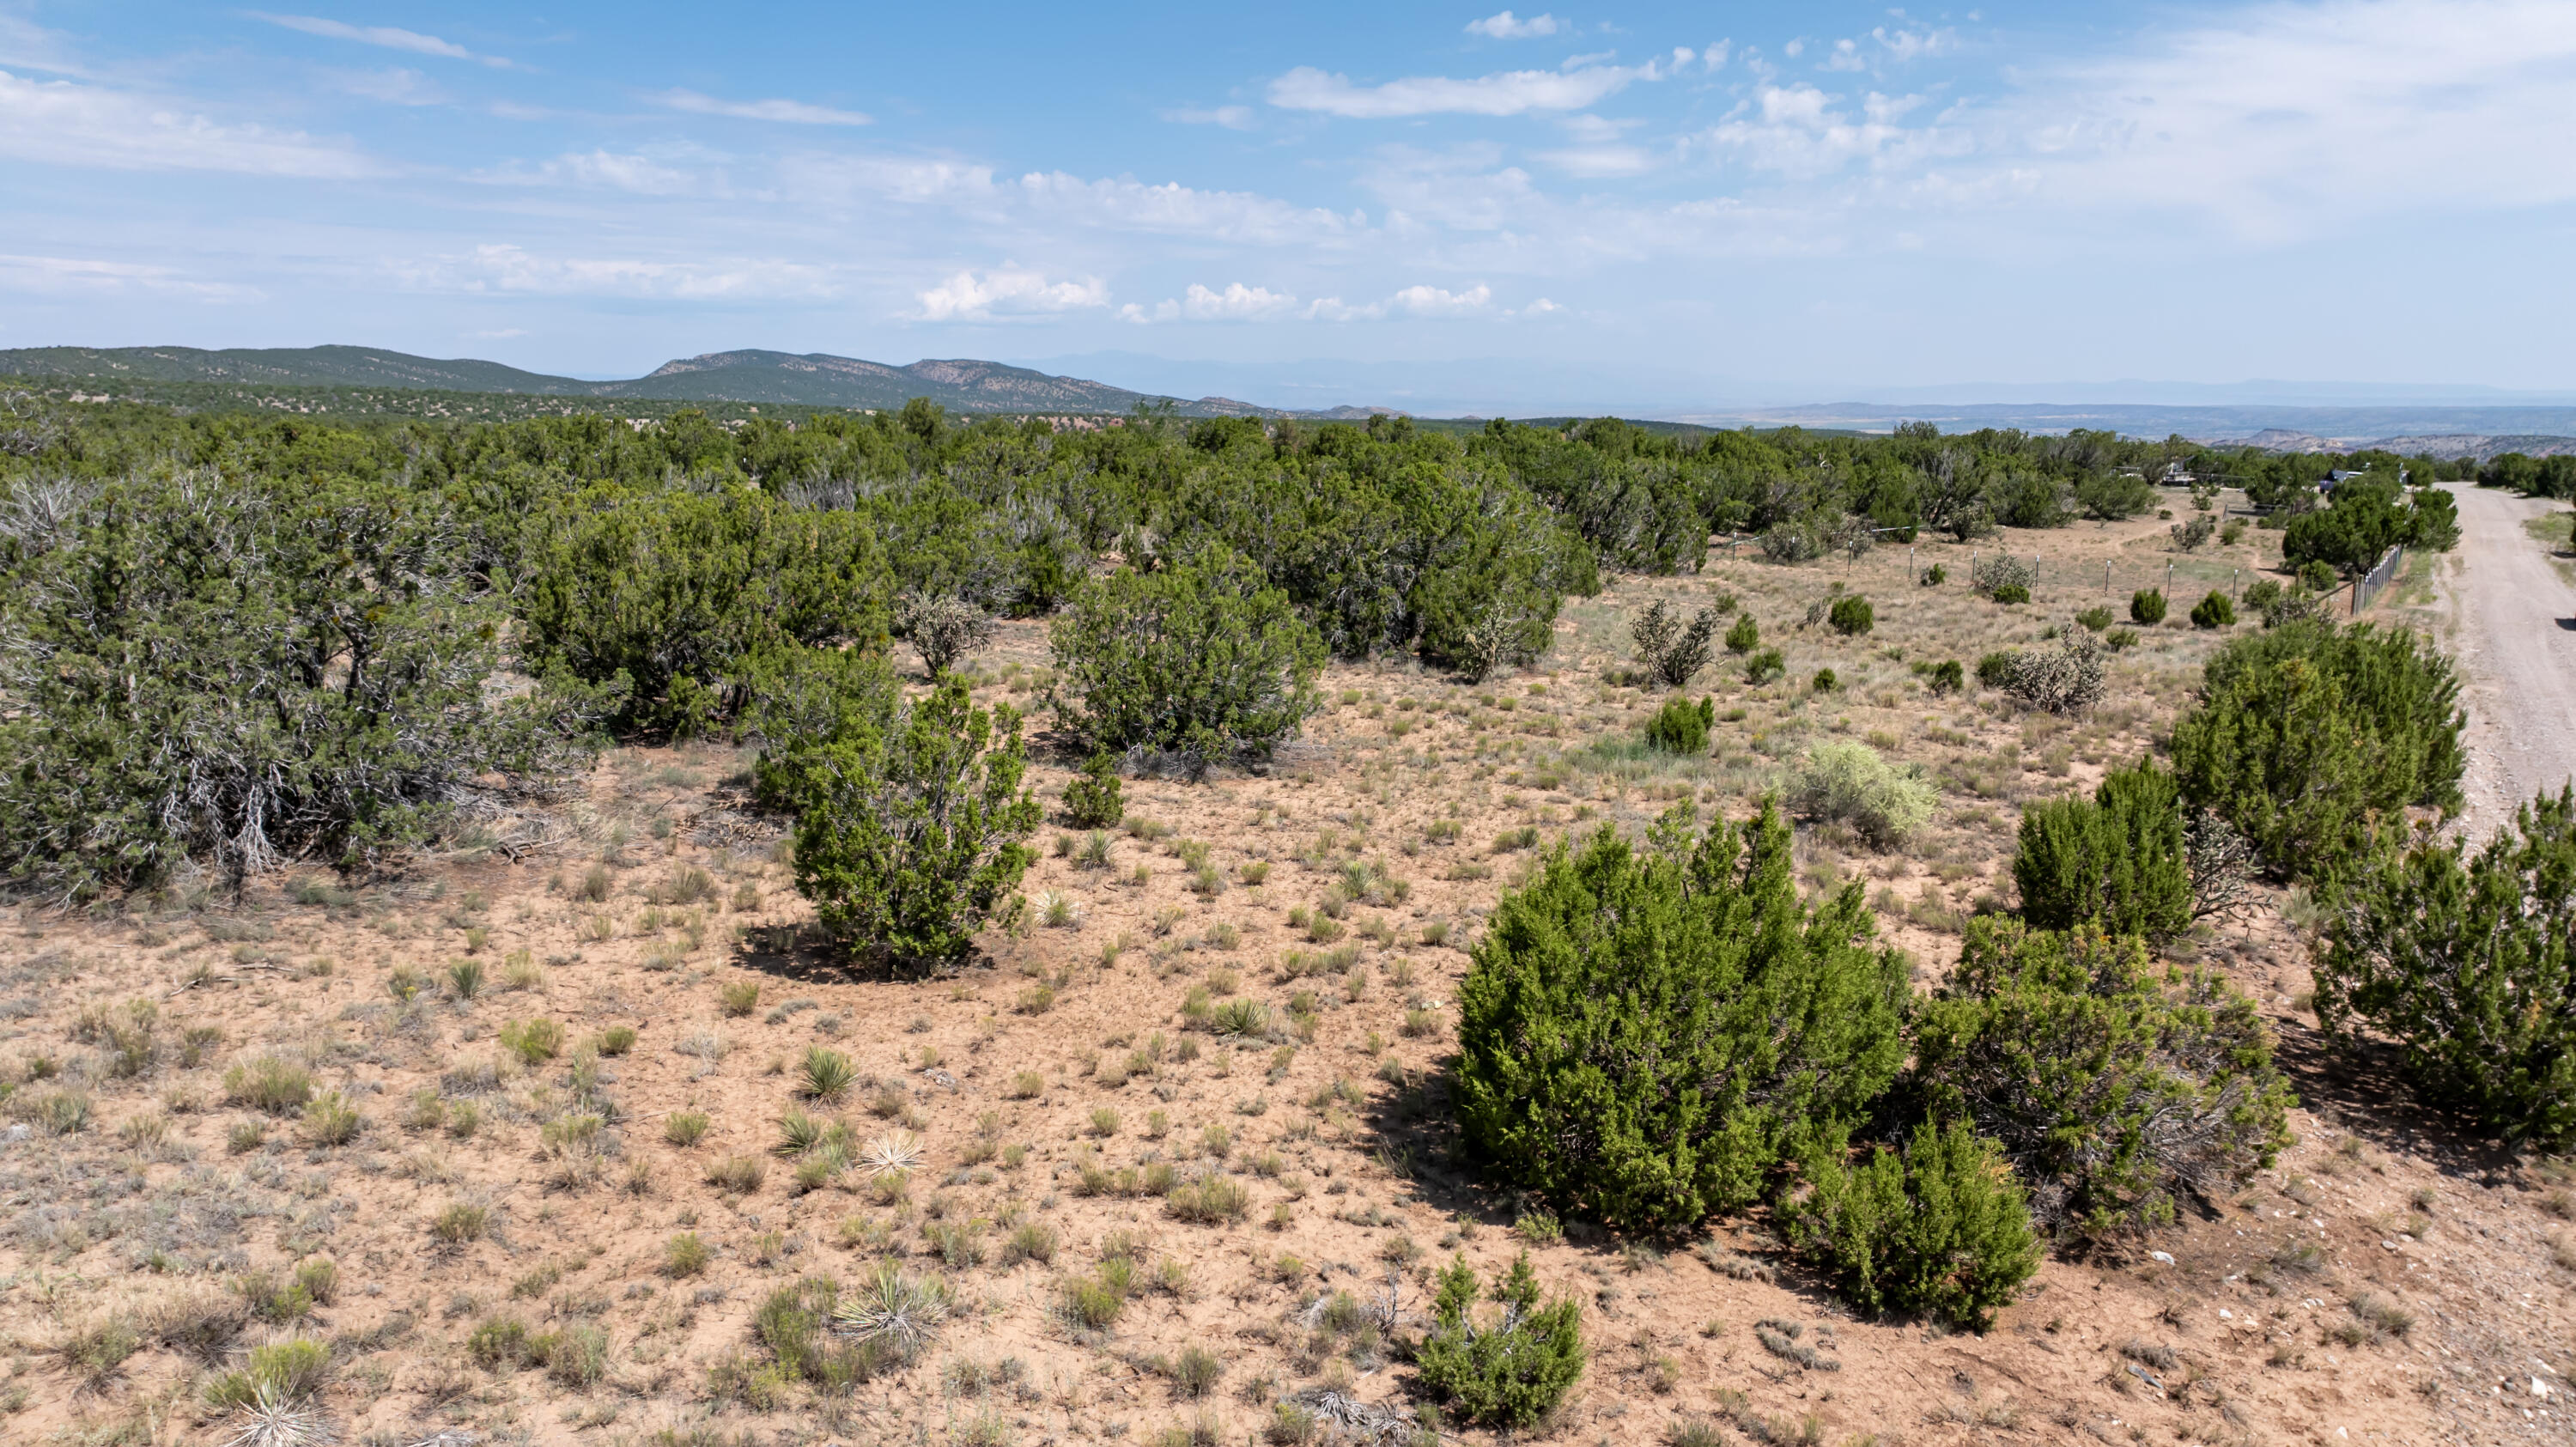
[1719, 202]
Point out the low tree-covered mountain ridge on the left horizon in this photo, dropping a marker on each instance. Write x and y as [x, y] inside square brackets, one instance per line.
[813, 380]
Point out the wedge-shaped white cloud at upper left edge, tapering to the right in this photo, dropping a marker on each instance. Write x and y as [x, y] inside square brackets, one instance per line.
[94, 127]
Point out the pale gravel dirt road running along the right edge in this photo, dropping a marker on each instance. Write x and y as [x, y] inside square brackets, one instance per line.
[2515, 635]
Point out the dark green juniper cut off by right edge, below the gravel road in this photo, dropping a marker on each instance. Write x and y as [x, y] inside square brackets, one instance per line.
[2469, 964]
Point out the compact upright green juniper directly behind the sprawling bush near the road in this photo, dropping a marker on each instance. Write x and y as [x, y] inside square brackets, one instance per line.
[2116, 859]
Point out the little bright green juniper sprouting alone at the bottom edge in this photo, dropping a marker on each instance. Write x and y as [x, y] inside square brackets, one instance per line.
[1508, 1371]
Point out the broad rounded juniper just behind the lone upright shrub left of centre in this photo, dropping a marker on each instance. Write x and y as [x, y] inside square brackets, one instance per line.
[676, 591]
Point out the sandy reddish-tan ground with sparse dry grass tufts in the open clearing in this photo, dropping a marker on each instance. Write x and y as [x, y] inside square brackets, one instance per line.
[1050, 1083]
